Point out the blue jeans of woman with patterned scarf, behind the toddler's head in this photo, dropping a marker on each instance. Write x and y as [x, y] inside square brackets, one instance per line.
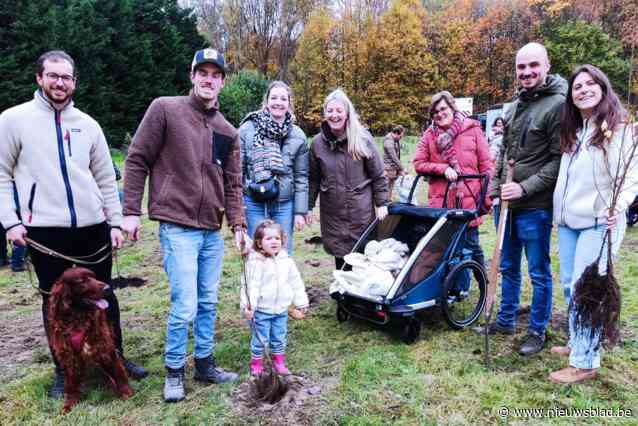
[281, 212]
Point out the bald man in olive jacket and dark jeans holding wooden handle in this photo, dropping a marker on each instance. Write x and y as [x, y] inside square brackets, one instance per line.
[532, 139]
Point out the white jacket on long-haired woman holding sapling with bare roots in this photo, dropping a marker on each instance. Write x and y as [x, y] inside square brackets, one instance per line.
[585, 181]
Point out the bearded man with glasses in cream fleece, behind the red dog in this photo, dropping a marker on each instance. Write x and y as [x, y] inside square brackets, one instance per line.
[66, 191]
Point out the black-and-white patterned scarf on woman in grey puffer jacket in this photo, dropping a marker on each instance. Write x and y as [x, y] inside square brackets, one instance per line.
[266, 148]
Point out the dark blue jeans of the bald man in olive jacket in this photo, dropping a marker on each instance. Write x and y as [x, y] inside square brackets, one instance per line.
[530, 231]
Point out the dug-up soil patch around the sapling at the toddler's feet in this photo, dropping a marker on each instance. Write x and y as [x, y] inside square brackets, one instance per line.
[299, 406]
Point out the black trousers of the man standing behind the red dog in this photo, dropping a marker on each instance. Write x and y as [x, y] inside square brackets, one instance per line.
[74, 242]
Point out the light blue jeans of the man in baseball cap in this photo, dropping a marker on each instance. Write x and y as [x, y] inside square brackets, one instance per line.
[193, 262]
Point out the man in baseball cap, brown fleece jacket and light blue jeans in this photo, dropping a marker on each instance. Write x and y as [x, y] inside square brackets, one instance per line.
[191, 154]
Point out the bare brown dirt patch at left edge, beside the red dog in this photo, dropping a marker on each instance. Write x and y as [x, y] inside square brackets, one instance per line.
[19, 344]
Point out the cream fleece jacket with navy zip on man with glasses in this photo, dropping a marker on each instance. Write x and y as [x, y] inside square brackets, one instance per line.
[61, 165]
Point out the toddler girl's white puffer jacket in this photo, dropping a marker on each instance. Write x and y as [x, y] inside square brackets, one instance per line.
[274, 284]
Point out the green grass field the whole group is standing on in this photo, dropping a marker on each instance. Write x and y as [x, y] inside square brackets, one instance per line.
[365, 374]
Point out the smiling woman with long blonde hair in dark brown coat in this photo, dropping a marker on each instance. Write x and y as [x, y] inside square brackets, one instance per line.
[346, 172]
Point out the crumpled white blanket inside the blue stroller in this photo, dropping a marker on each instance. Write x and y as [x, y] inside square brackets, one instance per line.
[372, 271]
